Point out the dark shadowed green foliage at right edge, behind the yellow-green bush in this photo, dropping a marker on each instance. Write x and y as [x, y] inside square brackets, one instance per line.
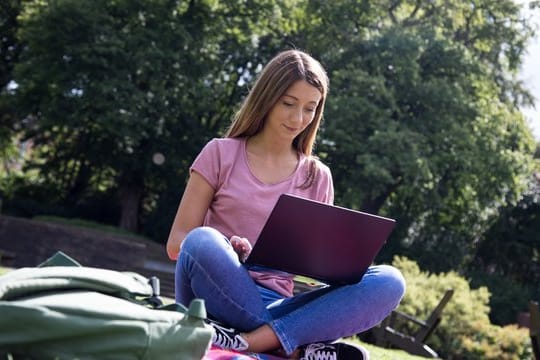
[508, 259]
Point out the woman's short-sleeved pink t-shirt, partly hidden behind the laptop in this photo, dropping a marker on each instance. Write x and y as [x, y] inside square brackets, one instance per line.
[242, 202]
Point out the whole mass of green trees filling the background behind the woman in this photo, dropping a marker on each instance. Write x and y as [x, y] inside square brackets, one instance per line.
[104, 104]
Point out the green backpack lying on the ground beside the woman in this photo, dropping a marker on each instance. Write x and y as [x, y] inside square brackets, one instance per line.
[61, 310]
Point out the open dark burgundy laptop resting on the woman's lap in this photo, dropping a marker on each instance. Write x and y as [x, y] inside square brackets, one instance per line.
[328, 243]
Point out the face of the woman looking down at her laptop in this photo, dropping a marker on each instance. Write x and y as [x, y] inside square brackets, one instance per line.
[293, 111]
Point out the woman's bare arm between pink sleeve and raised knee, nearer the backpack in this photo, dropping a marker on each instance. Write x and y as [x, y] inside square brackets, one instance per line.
[195, 202]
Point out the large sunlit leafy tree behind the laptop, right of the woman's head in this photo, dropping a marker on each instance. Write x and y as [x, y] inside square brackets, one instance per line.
[422, 122]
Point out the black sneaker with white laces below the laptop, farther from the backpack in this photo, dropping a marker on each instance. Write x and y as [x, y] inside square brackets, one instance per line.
[334, 351]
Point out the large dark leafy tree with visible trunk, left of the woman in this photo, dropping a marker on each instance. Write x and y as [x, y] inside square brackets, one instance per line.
[105, 85]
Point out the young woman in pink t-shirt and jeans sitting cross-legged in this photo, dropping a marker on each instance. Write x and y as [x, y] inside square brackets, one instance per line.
[233, 186]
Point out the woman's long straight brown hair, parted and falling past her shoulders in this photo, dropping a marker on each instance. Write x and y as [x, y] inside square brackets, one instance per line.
[276, 77]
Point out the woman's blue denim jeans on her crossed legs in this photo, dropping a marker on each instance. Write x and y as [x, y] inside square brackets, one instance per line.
[209, 268]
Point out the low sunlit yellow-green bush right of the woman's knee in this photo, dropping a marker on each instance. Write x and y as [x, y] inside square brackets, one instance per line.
[465, 331]
